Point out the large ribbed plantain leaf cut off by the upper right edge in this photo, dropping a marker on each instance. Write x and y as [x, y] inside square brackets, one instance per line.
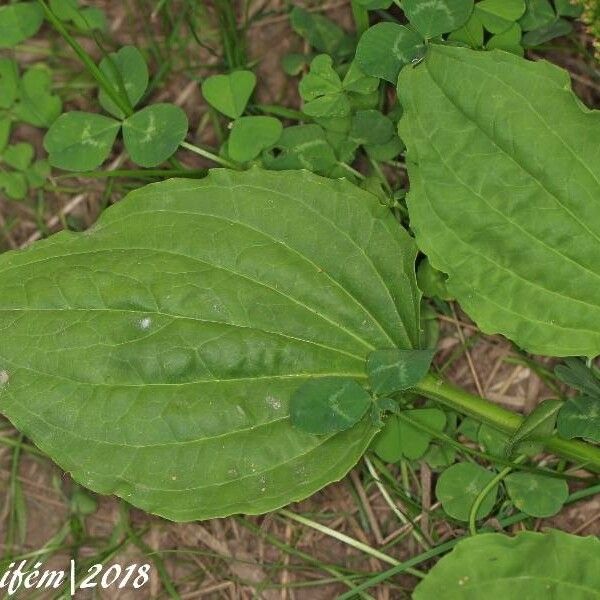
[505, 194]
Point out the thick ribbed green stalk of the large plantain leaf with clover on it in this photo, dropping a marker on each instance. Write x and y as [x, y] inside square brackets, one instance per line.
[484, 411]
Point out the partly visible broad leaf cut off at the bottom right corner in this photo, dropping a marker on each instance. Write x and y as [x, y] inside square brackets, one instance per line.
[529, 565]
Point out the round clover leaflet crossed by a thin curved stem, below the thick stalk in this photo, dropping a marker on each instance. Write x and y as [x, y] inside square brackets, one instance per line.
[458, 487]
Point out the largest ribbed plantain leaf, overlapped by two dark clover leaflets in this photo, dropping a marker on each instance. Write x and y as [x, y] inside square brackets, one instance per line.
[154, 356]
